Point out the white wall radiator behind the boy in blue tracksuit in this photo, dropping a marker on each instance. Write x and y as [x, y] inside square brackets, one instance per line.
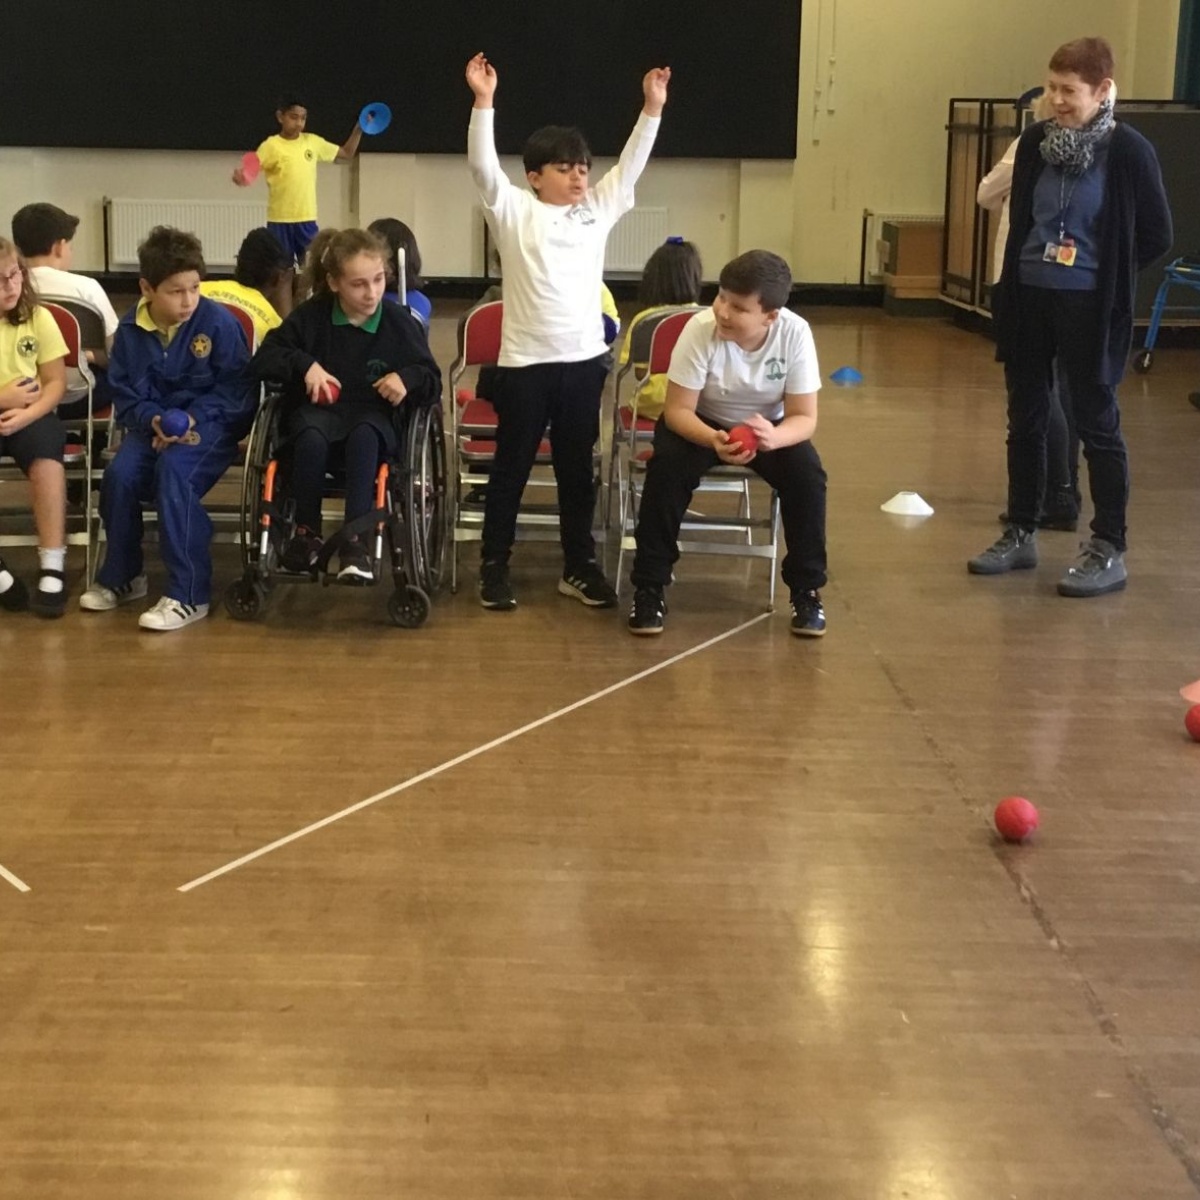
[220, 225]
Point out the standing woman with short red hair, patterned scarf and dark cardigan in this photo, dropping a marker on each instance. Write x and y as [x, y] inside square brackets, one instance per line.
[1088, 213]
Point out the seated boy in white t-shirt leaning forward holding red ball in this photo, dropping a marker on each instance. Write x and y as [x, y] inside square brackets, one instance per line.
[748, 361]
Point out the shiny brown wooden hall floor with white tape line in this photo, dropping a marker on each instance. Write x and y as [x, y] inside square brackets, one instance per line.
[737, 929]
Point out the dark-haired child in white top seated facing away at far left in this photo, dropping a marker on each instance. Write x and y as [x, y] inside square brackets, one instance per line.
[44, 233]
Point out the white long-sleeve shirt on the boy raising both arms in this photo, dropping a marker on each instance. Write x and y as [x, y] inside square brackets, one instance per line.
[553, 255]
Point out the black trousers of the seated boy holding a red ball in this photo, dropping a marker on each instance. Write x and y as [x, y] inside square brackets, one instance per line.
[671, 478]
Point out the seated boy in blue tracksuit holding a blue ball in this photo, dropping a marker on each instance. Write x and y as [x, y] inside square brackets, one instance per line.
[175, 351]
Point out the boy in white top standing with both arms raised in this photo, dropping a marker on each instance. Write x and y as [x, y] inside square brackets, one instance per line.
[554, 358]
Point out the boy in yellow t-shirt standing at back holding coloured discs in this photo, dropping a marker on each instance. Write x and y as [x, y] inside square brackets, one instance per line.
[290, 161]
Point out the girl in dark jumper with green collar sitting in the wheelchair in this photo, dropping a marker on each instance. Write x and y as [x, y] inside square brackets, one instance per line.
[376, 356]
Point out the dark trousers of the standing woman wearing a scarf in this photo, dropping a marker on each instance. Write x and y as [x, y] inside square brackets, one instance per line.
[1064, 326]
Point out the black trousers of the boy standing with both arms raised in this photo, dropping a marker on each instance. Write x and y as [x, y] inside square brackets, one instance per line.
[565, 397]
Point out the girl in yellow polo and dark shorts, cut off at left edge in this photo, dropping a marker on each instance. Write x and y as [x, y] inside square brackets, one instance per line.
[33, 381]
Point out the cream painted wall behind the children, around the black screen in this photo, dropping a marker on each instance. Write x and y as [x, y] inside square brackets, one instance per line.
[875, 81]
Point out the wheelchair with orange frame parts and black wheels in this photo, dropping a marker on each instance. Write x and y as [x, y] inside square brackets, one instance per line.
[407, 532]
